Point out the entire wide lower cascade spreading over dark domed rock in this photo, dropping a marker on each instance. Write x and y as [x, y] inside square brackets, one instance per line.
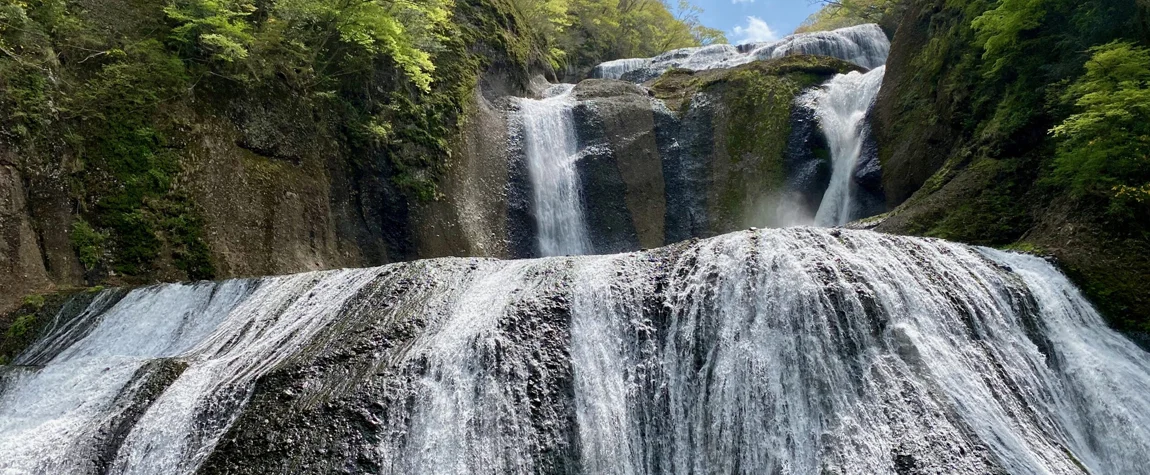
[778, 351]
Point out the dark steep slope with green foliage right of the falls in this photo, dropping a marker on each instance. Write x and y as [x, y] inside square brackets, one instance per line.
[1041, 108]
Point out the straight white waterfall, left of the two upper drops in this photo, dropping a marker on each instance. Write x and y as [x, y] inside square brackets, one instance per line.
[551, 148]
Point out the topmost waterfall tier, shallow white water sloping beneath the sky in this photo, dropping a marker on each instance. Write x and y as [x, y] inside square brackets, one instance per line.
[864, 45]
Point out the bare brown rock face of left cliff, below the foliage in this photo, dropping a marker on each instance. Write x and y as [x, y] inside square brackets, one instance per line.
[272, 186]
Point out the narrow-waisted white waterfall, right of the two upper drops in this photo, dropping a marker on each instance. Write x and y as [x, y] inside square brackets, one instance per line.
[841, 106]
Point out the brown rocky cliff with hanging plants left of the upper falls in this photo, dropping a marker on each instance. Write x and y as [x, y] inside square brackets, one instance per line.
[134, 167]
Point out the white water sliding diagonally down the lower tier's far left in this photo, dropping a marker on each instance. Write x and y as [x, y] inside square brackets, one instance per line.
[229, 334]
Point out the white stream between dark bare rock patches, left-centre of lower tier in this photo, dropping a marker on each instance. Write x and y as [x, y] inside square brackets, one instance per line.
[465, 418]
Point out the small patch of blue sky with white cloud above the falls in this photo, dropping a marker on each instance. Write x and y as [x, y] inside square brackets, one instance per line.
[755, 20]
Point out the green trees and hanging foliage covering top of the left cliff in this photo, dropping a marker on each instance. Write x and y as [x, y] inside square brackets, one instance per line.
[105, 97]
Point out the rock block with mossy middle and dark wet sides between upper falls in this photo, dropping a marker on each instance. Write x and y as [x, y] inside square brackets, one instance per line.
[738, 142]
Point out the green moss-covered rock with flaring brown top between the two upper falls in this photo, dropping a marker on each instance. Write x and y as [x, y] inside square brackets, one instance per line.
[743, 117]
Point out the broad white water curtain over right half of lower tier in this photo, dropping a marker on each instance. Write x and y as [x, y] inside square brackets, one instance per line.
[807, 353]
